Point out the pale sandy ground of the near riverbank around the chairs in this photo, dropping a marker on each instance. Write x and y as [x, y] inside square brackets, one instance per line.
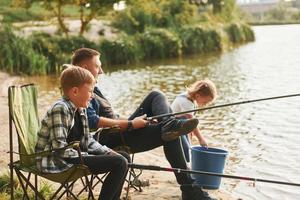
[162, 184]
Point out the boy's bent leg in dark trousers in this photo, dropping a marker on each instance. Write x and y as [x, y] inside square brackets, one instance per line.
[113, 163]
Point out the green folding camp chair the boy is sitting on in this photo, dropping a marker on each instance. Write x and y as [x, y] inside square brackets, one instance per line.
[23, 114]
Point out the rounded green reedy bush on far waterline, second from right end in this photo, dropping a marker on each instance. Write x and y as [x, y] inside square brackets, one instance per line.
[196, 39]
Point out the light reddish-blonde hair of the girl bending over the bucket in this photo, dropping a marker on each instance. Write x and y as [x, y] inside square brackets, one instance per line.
[204, 87]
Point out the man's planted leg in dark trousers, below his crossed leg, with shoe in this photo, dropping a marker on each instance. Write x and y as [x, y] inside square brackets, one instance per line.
[149, 138]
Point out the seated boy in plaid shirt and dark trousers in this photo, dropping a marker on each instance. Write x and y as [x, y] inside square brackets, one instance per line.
[66, 121]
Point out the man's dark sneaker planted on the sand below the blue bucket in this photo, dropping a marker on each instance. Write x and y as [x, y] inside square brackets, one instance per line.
[196, 193]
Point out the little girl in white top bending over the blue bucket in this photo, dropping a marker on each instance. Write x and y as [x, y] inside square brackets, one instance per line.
[199, 93]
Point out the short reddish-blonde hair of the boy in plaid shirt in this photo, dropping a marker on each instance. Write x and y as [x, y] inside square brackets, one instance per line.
[74, 76]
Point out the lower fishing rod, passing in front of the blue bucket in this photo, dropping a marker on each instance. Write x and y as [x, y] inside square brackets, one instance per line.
[177, 170]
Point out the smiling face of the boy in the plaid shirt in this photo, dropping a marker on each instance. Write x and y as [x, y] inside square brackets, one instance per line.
[81, 96]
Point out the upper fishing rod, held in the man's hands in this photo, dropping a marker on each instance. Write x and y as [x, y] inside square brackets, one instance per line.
[220, 106]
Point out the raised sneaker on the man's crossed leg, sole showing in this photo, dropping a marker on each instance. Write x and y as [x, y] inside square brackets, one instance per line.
[173, 128]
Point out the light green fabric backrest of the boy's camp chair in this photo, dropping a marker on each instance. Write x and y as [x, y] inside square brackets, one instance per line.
[23, 112]
